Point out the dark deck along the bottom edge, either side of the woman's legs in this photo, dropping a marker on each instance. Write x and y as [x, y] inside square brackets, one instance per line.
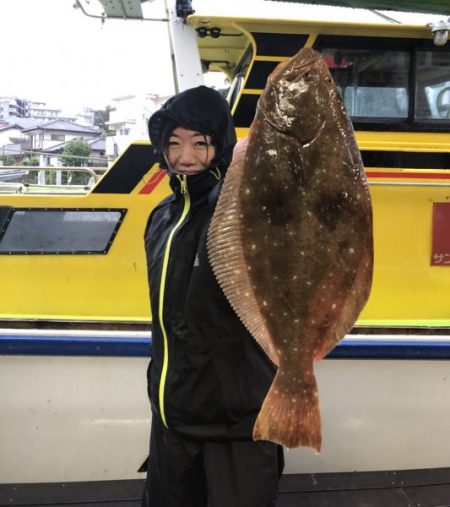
[413, 488]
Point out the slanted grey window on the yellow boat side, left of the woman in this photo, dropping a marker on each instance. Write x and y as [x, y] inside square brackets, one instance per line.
[59, 231]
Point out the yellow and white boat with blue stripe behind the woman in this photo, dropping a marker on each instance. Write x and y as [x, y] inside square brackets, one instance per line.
[74, 309]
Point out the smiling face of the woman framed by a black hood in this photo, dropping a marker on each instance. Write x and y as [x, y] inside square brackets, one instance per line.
[189, 152]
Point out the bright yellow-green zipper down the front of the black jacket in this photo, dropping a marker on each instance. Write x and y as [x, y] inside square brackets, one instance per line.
[162, 382]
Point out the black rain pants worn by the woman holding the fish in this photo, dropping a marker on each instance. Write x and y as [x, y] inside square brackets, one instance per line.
[192, 473]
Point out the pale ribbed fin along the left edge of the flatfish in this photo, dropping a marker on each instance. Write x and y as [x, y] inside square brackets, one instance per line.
[226, 254]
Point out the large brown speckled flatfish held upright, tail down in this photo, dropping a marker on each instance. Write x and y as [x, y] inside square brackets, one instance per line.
[291, 239]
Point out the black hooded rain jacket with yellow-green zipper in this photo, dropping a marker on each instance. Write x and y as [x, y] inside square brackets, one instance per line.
[208, 376]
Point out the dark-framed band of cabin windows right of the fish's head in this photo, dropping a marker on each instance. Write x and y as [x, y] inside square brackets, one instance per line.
[391, 82]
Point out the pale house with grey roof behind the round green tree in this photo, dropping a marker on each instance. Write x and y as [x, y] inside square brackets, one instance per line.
[49, 139]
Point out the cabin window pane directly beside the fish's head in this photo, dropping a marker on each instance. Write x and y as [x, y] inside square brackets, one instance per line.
[374, 84]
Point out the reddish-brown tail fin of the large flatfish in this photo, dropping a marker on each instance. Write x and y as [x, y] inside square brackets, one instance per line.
[290, 419]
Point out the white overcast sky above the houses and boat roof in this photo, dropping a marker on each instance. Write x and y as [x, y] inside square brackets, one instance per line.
[53, 53]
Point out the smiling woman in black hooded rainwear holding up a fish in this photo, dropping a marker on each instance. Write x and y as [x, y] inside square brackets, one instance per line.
[207, 377]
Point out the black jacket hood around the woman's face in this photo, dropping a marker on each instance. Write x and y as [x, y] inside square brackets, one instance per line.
[201, 109]
